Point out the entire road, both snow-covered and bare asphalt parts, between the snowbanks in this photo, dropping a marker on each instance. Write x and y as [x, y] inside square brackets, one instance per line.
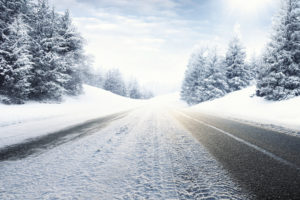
[154, 153]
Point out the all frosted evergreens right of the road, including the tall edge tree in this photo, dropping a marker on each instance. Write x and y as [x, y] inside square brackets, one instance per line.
[276, 73]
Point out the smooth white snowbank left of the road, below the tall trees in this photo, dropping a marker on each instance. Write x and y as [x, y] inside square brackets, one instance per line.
[21, 122]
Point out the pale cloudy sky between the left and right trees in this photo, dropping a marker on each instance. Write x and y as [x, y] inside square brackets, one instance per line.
[153, 39]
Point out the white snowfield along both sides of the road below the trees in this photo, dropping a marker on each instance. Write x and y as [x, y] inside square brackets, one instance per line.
[21, 122]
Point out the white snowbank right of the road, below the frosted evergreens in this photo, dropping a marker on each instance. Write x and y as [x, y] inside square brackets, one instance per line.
[244, 105]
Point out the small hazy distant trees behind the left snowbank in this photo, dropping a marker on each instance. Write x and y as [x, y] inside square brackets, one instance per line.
[113, 81]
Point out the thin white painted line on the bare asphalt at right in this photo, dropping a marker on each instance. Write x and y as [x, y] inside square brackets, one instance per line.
[244, 142]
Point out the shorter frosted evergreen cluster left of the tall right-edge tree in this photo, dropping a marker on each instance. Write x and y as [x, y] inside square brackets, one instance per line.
[210, 75]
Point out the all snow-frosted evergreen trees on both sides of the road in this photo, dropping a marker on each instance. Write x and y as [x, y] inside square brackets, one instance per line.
[42, 59]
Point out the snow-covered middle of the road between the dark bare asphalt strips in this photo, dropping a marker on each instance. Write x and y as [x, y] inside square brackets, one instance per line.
[145, 155]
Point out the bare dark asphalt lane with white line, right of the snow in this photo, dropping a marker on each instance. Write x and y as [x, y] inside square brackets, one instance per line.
[265, 163]
